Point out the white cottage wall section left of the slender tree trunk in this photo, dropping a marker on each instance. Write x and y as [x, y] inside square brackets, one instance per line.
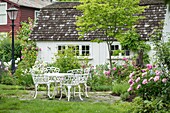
[49, 48]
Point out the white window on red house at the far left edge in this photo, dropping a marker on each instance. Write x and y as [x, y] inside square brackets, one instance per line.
[3, 13]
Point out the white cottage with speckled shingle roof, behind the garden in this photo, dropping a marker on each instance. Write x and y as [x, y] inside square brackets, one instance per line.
[56, 30]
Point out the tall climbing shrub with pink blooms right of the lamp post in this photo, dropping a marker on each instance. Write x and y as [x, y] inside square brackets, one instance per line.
[29, 49]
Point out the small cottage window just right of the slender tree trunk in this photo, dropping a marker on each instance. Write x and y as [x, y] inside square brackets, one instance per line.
[117, 50]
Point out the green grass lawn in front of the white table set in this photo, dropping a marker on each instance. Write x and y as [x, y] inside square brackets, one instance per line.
[13, 104]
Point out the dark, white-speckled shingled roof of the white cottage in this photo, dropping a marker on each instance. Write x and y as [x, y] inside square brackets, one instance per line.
[57, 21]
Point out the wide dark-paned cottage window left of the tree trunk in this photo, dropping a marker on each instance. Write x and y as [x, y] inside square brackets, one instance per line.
[79, 50]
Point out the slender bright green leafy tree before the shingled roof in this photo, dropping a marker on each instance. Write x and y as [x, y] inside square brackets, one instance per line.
[112, 17]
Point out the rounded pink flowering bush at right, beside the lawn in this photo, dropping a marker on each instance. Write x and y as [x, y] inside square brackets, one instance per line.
[149, 83]
